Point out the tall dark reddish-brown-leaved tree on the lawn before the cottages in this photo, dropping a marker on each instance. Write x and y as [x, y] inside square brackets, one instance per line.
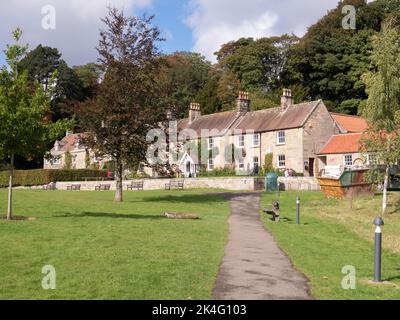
[130, 100]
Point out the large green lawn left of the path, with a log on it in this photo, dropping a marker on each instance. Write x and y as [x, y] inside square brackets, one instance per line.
[102, 249]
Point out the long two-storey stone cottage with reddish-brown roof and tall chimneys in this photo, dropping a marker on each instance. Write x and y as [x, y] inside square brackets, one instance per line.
[292, 133]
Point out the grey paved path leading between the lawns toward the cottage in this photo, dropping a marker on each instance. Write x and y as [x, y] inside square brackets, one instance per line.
[254, 268]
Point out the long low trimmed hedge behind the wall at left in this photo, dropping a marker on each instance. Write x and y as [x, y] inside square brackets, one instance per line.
[45, 176]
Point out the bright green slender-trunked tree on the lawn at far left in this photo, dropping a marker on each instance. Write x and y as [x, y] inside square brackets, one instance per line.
[24, 130]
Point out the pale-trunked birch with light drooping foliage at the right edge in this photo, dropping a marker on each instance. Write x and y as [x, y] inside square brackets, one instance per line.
[382, 109]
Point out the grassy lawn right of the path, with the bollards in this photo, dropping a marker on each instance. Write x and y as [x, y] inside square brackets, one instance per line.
[333, 236]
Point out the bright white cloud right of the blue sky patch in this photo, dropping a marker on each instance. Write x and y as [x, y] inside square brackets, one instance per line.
[215, 22]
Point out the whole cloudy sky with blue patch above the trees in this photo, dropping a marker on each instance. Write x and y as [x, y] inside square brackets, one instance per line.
[187, 25]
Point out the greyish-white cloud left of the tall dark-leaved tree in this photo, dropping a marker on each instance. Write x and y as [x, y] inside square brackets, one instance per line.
[77, 24]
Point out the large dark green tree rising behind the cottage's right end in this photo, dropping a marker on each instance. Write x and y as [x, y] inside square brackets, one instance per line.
[329, 61]
